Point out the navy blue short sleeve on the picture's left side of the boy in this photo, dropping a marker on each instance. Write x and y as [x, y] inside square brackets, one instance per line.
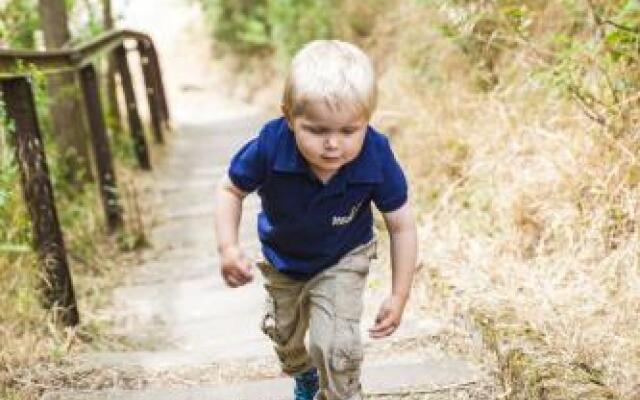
[248, 168]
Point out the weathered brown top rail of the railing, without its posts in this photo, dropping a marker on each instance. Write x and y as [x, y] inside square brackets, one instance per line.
[52, 61]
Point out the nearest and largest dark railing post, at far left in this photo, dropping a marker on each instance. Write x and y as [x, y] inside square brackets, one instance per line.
[57, 287]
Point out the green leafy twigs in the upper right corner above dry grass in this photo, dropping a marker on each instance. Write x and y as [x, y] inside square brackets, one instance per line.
[588, 49]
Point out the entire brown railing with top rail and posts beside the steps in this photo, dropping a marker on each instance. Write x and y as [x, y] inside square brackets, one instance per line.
[17, 95]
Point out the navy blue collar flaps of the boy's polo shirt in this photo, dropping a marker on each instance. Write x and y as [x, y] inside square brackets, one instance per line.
[366, 168]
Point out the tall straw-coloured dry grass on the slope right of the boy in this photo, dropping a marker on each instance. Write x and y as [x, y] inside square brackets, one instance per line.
[529, 217]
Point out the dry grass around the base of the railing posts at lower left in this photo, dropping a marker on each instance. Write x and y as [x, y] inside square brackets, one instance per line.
[33, 350]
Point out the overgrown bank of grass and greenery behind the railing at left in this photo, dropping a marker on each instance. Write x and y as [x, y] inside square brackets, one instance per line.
[33, 351]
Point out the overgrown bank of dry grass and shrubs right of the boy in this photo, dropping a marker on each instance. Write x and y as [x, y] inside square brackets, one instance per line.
[518, 122]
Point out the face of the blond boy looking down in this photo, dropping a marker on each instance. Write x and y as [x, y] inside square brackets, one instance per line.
[329, 139]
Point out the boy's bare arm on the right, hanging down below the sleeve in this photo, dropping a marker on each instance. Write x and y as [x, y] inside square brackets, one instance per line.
[402, 232]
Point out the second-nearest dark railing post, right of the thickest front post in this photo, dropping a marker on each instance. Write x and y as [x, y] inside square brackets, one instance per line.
[101, 150]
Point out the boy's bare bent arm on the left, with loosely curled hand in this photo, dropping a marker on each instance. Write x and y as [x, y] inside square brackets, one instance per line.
[235, 269]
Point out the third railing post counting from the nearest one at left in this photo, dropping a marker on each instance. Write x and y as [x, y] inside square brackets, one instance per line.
[135, 126]
